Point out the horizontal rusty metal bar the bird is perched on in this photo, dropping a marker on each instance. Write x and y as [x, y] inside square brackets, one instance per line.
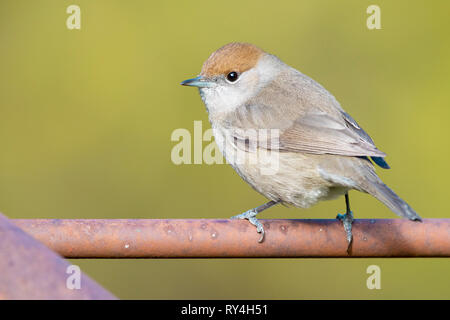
[148, 238]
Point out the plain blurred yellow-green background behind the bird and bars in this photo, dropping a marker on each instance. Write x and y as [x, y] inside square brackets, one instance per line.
[86, 118]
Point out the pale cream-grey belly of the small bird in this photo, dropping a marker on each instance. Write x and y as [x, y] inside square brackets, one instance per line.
[292, 178]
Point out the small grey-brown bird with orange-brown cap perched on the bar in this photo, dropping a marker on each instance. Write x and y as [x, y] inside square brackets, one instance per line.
[264, 112]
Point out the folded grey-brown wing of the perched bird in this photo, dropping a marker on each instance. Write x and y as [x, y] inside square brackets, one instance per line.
[309, 120]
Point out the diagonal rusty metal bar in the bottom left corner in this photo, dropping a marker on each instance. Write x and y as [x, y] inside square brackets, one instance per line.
[29, 270]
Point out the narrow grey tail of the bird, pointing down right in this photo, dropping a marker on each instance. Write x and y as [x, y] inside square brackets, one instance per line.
[385, 194]
